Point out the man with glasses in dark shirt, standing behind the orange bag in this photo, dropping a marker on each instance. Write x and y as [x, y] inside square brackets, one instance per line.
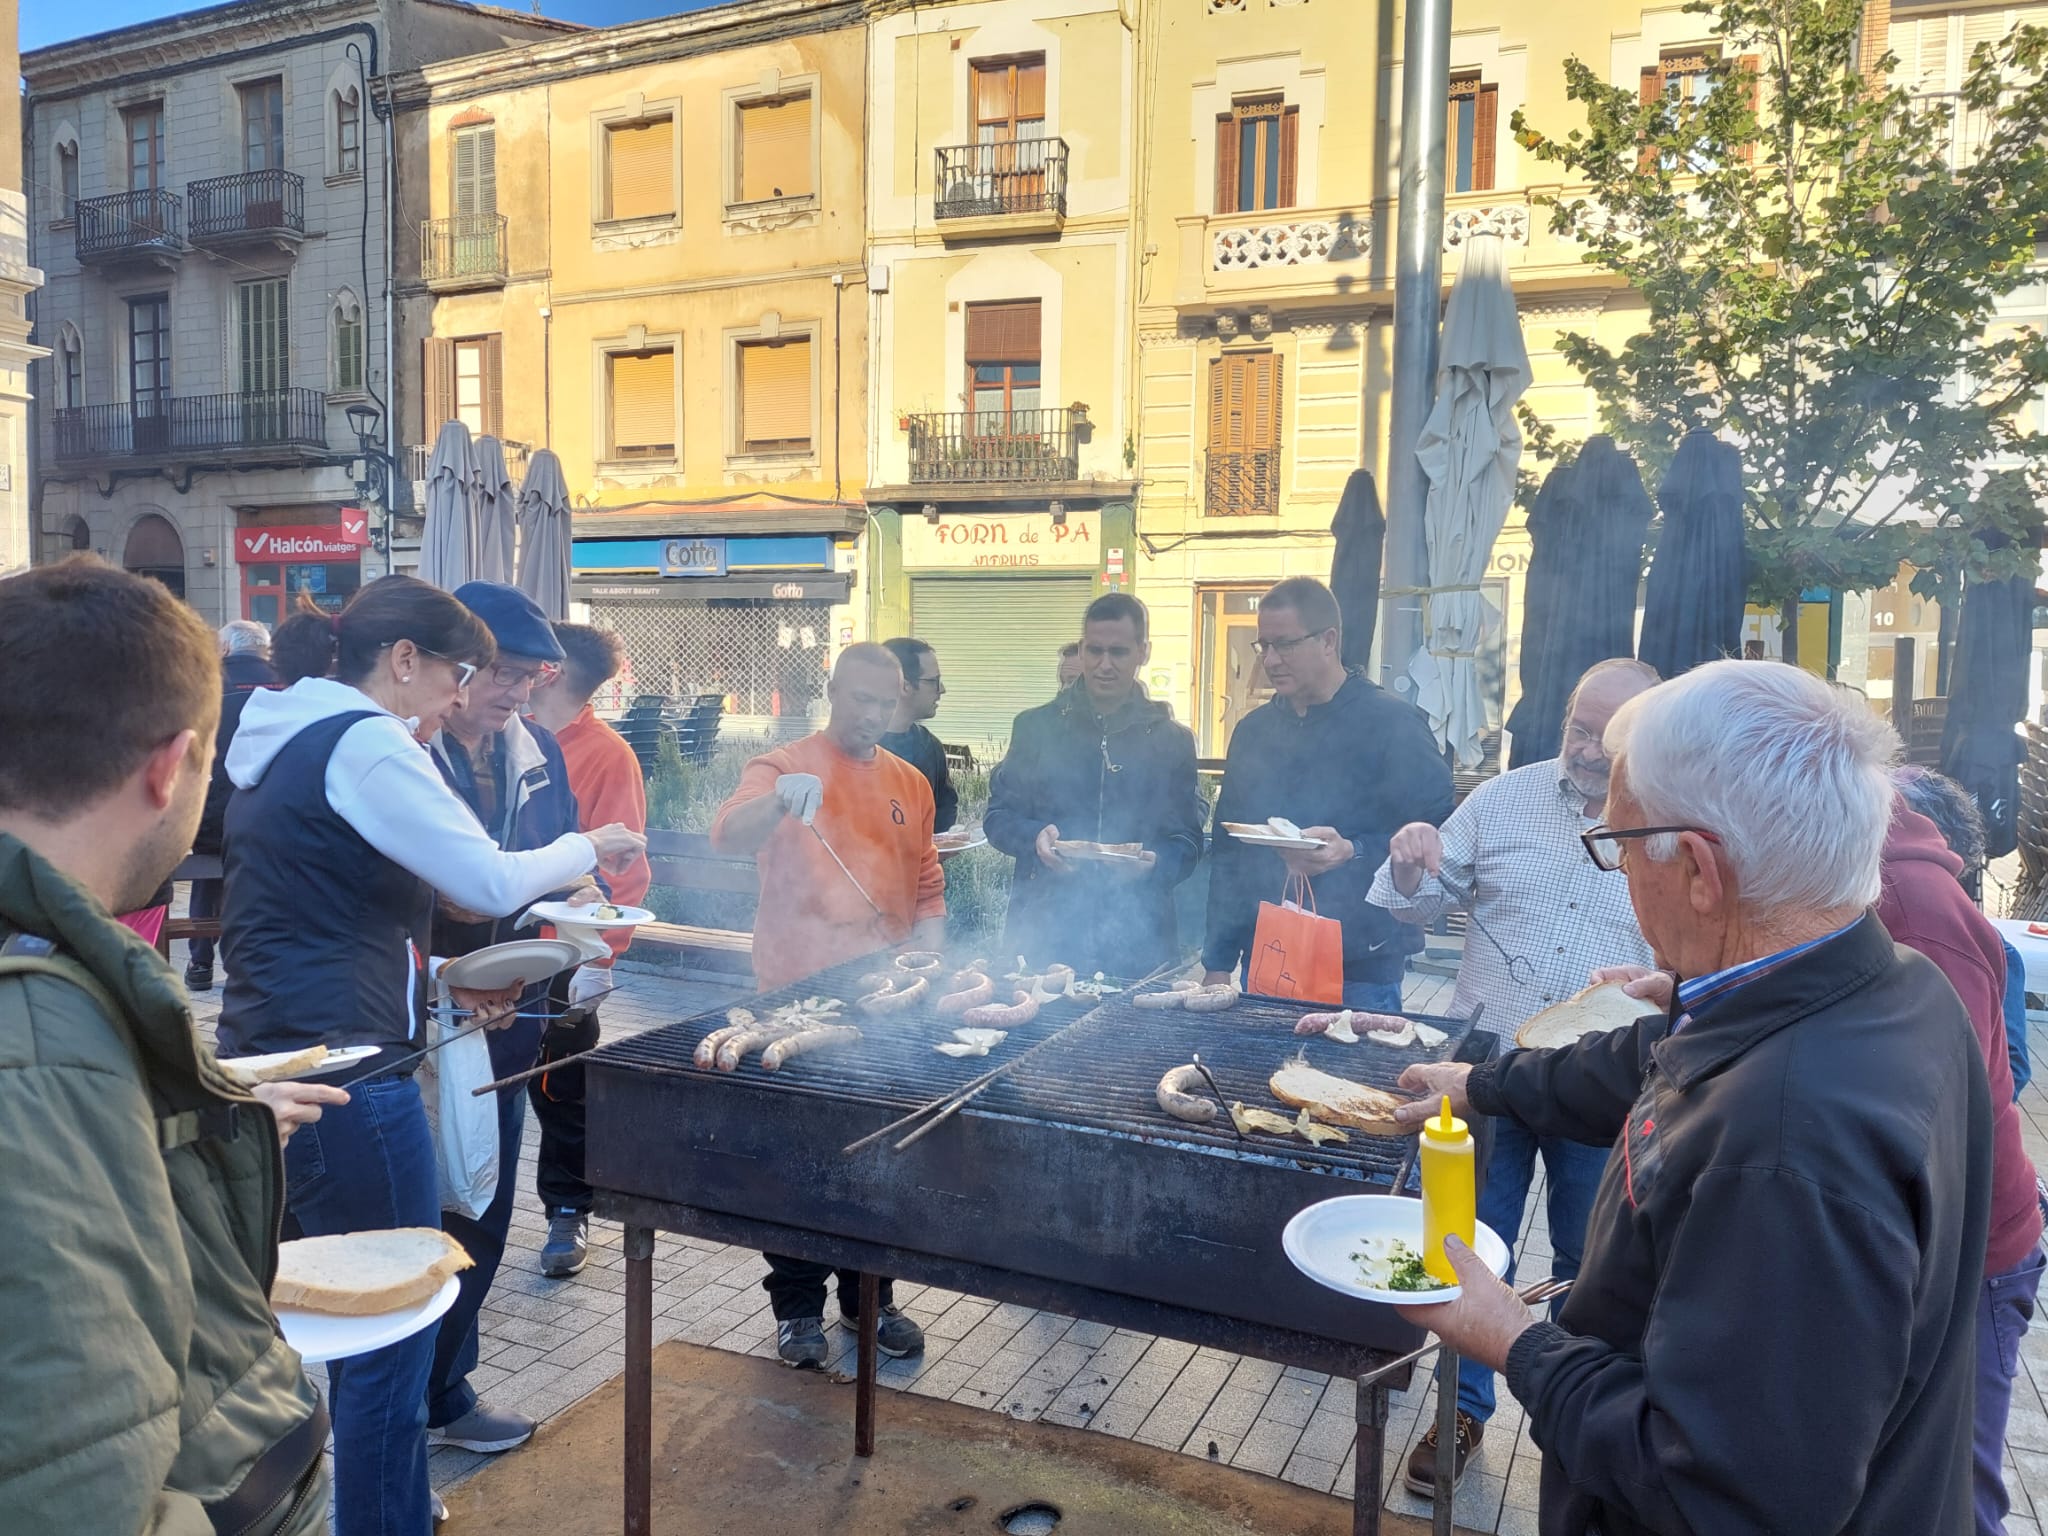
[1349, 765]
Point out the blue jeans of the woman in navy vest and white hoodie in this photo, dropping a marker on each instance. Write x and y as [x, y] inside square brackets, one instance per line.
[370, 1164]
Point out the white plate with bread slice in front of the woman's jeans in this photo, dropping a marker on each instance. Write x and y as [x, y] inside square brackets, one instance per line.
[351, 1293]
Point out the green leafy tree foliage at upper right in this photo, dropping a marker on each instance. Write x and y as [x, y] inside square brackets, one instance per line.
[1820, 271]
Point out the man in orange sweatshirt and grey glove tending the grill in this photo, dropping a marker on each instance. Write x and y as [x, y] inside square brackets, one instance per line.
[876, 812]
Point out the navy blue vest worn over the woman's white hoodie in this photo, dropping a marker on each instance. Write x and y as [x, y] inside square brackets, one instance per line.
[325, 939]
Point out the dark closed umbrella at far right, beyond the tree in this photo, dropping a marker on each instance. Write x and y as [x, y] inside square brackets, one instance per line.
[1988, 699]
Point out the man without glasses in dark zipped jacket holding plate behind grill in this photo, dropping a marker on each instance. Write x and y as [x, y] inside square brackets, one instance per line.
[1105, 765]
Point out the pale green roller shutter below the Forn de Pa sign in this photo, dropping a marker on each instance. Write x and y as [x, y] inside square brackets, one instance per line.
[998, 648]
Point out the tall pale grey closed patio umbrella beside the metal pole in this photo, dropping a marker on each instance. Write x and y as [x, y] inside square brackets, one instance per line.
[1469, 452]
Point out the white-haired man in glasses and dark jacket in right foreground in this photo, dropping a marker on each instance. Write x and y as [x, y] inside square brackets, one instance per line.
[1775, 1326]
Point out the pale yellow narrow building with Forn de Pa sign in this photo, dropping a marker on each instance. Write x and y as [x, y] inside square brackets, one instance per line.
[1002, 148]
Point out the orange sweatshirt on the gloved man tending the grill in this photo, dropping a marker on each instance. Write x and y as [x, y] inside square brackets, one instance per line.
[878, 816]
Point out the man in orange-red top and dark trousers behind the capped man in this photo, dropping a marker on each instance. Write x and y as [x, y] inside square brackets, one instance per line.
[607, 785]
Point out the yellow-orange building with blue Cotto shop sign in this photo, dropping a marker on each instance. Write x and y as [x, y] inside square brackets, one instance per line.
[642, 249]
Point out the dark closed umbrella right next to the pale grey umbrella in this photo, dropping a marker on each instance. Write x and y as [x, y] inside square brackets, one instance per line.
[1580, 597]
